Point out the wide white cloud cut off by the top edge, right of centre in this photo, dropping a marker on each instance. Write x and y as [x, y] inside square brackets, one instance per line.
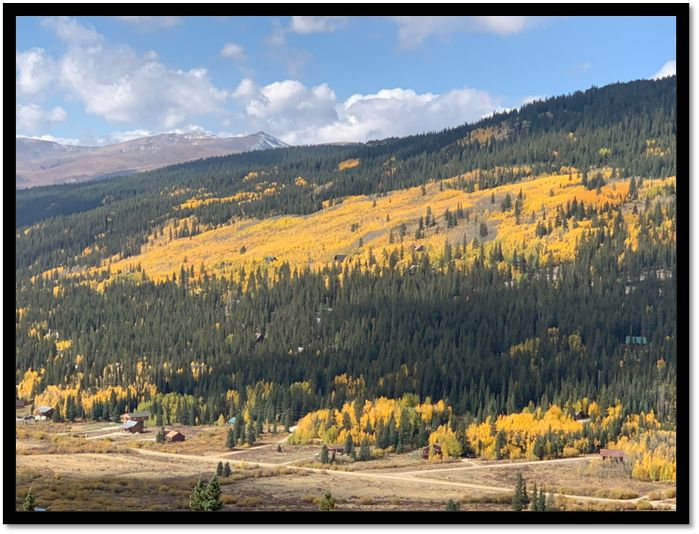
[413, 30]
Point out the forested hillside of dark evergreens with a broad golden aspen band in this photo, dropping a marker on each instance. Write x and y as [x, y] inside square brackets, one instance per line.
[497, 266]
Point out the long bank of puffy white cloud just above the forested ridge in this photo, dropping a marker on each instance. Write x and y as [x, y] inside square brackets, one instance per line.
[301, 115]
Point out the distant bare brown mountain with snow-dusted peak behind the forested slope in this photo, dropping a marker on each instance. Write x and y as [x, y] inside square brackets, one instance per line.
[44, 162]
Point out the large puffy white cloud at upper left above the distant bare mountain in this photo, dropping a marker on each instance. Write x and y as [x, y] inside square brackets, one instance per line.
[116, 83]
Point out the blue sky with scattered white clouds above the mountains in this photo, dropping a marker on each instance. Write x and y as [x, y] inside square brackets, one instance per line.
[312, 79]
